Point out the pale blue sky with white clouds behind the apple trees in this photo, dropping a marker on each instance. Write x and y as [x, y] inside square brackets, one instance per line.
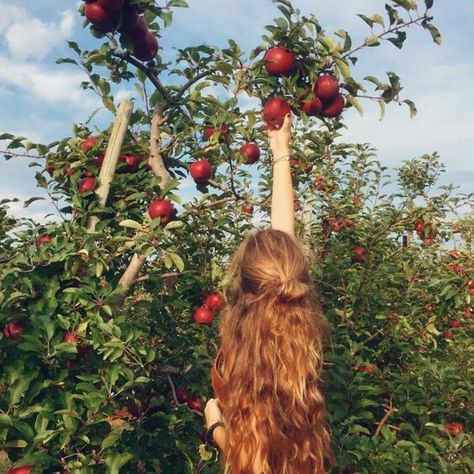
[41, 100]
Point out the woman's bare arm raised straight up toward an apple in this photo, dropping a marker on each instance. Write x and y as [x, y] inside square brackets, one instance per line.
[283, 211]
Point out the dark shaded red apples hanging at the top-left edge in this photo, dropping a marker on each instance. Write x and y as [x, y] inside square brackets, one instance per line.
[120, 15]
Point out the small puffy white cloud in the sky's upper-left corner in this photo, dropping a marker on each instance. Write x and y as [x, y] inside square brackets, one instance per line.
[31, 38]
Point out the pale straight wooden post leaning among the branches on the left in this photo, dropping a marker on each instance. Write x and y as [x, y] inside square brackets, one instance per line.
[112, 154]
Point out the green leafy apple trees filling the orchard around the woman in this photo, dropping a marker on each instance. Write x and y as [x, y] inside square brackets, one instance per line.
[110, 371]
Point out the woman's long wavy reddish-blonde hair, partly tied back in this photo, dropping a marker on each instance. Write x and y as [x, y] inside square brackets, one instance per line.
[272, 333]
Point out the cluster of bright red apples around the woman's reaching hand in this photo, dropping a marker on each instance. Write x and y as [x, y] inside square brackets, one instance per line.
[323, 99]
